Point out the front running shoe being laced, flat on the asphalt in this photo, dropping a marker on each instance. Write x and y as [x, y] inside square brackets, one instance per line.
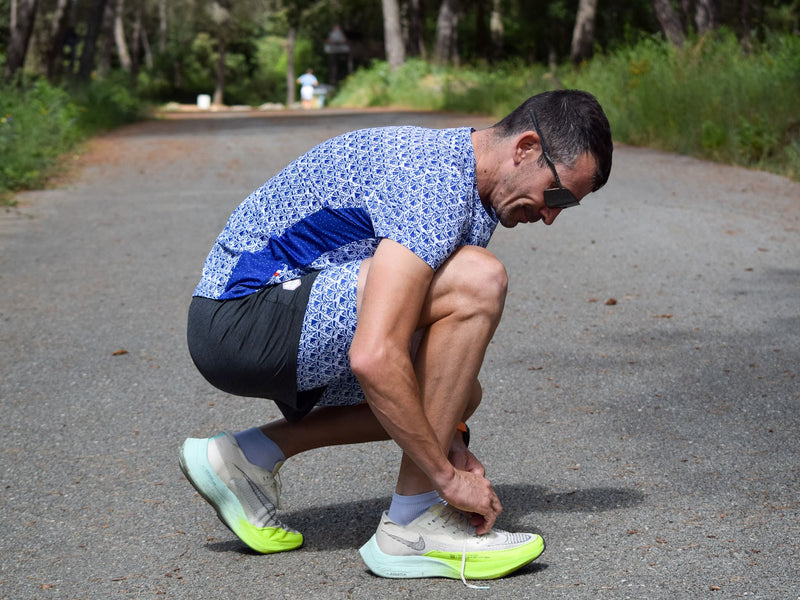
[442, 543]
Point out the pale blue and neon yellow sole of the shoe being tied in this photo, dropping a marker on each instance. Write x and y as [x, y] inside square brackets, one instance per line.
[478, 565]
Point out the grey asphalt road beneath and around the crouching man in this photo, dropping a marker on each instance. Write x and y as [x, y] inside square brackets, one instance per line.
[641, 410]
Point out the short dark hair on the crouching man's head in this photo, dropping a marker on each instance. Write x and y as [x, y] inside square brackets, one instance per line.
[572, 123]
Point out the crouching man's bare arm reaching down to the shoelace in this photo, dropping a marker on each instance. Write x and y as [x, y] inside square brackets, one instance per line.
[396, 288]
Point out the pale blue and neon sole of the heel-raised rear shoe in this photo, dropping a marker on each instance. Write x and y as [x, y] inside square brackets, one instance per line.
[265, 540]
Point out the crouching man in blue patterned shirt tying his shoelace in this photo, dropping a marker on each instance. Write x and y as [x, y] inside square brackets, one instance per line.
[354, 289]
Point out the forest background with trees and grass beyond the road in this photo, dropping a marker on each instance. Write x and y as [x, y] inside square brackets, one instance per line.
[717, 79]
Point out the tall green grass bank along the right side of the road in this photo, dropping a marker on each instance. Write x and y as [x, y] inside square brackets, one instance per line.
[709, 99]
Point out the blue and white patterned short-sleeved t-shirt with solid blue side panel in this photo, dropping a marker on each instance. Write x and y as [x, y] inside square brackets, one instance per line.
[333, 205]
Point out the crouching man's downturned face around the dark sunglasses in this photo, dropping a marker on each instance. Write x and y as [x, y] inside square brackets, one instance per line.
[520, 196]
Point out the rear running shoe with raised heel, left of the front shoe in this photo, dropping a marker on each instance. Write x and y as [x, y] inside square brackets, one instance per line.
[244, 495]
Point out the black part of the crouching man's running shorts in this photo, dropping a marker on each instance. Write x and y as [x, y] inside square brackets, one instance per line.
[248, 346]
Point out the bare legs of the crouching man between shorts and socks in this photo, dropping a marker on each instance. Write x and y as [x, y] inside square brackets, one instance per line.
[460, 316]
